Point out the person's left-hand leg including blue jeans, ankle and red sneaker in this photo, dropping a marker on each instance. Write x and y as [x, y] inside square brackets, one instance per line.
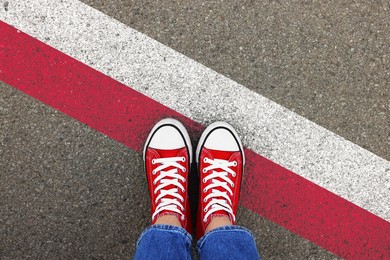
[168, 157]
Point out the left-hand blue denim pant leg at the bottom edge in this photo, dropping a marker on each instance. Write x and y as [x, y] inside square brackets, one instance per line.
[164, 242]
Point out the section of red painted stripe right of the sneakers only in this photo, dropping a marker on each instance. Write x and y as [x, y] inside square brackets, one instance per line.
[313, 212]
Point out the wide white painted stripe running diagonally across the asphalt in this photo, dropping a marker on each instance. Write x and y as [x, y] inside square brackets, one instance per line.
[205, 96]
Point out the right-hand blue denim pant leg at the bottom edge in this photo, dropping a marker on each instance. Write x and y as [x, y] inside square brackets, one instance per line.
[228, 242]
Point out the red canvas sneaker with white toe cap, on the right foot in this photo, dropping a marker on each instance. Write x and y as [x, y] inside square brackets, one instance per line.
[220, 159]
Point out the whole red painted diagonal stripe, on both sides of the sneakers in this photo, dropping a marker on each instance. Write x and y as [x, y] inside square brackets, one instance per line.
[126, 115]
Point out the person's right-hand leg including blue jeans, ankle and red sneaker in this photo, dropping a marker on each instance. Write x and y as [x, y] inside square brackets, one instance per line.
[220, 158]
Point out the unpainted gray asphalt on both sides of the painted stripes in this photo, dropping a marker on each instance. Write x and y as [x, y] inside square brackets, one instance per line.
[70, 192]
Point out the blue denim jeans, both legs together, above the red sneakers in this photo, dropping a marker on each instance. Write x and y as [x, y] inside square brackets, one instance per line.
[171, 242]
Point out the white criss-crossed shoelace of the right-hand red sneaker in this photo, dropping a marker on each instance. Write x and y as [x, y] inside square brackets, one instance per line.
[219, 199]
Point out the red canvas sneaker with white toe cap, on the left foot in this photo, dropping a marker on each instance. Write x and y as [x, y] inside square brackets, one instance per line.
[168, 158]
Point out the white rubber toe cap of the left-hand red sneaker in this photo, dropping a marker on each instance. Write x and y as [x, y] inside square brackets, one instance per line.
[167, 138]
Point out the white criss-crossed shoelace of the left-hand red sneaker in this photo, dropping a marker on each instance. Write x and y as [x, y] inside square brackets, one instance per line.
[166, 178]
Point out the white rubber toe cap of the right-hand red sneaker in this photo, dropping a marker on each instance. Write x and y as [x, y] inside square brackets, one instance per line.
[221, 139]
